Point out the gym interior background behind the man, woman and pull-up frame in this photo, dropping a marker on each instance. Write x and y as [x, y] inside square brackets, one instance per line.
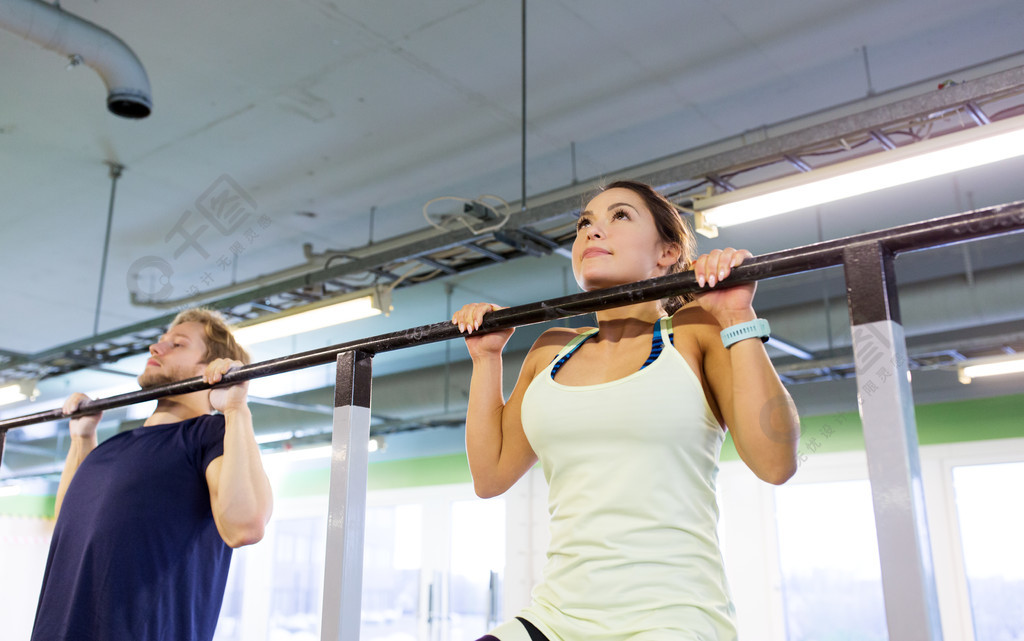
[266, 157]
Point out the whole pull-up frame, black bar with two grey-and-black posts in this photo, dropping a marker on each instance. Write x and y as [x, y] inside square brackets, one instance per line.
[887, 412]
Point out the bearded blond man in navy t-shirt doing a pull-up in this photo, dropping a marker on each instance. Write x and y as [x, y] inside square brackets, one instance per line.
[146, 522]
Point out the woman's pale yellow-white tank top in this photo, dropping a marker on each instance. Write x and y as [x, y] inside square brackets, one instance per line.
[631, 467]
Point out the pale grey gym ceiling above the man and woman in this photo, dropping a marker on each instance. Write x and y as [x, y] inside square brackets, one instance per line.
[336, 123]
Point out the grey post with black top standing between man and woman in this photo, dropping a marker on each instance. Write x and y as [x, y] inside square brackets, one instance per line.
[348, 505]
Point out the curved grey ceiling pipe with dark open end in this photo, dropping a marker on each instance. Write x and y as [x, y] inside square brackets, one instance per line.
[83, 42]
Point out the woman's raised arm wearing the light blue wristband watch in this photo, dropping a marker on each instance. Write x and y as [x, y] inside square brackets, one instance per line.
[755, 406]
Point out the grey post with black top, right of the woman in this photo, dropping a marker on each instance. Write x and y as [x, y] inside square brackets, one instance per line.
[891, 442]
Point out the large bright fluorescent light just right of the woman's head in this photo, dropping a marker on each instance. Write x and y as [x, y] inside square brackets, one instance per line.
[944, 155]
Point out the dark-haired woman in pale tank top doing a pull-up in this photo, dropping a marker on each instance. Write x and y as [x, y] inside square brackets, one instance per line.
[628, 420]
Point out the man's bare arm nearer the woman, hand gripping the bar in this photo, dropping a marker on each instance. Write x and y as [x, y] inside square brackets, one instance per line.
[240, 491]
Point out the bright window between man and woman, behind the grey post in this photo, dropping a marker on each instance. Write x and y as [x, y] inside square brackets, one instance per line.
[434, 560]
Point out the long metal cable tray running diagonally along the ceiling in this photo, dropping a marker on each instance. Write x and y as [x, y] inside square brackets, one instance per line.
[547, 224]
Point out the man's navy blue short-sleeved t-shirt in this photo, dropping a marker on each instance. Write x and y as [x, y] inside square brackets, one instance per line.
[136, 552]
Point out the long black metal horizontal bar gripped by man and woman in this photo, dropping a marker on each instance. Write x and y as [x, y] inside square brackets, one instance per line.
[918, 236]
